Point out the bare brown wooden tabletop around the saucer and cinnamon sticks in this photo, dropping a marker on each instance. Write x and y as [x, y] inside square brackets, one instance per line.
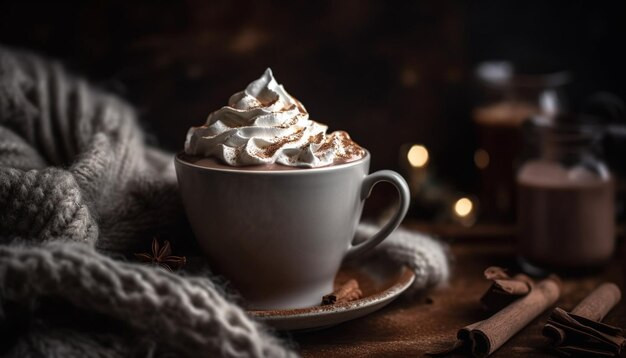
[412, 326]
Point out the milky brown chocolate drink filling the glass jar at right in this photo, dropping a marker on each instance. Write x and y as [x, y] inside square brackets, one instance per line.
[565, 216]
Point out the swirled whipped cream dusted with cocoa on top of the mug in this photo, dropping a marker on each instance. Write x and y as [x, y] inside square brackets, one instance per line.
[263, 125]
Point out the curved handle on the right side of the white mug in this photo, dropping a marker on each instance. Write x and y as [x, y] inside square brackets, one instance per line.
[366, 189]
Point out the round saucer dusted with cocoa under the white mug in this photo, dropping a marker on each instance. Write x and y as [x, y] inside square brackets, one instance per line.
[381, 281]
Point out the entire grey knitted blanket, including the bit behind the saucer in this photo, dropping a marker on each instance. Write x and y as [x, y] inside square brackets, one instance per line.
[80, 192]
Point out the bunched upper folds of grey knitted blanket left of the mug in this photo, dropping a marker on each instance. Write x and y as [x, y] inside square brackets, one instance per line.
[49, 118]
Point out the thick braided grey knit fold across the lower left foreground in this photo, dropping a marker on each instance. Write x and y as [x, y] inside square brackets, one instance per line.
[188, 313]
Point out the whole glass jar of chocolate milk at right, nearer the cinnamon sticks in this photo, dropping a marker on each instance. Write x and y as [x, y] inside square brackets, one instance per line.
[565, 206]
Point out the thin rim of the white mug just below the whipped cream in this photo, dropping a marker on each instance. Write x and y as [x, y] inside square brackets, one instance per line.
[296, 171]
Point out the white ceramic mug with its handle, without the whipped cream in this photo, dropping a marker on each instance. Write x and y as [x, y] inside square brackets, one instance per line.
[280, 236]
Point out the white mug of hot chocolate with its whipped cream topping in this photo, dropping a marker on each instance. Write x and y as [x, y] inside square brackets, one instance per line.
[274, 201]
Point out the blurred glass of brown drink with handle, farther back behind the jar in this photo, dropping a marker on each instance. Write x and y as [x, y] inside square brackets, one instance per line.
[503, 101]
